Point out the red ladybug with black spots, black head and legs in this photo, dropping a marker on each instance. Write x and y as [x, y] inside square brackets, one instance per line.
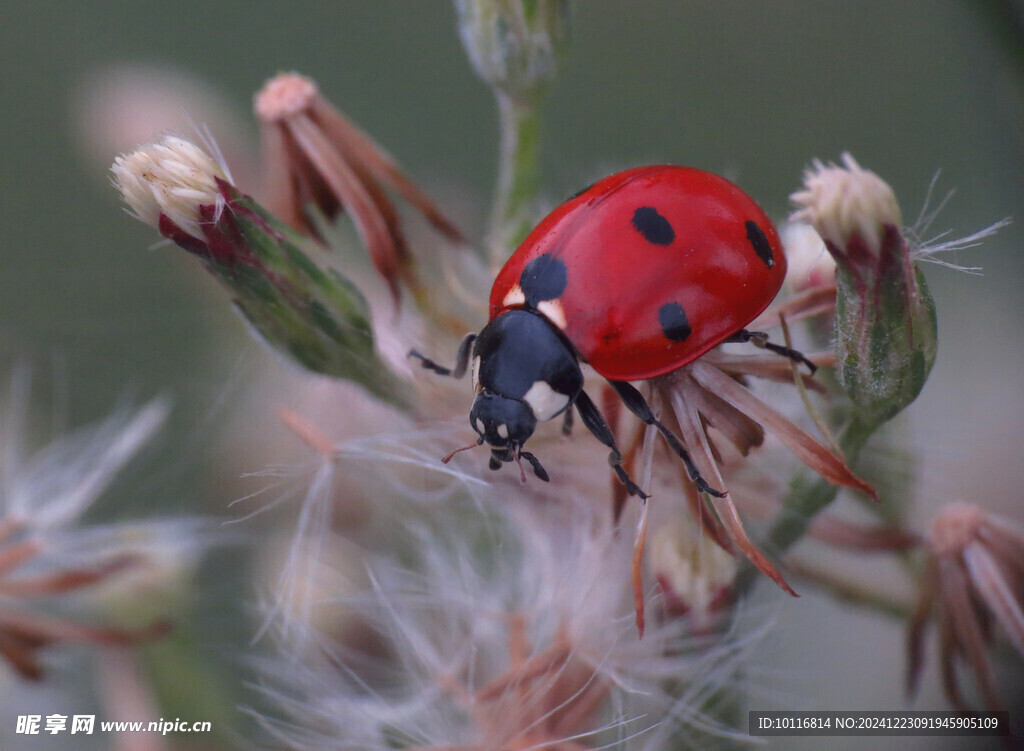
[636, 276]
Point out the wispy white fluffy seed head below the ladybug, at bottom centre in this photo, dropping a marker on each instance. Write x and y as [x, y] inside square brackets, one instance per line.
[479, 644]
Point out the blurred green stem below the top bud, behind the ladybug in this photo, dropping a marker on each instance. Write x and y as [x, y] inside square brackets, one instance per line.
[519, 176]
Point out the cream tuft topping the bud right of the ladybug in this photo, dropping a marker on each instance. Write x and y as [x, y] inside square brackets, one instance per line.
[843, 201]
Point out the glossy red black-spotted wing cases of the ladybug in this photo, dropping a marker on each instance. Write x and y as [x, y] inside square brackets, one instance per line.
[660, 265]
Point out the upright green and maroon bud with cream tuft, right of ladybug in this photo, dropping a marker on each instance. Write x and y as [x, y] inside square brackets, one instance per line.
[885, 318]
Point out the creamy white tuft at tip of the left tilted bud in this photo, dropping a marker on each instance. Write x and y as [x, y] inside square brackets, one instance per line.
[172, 177]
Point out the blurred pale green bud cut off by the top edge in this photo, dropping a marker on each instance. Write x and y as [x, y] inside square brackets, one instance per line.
[515, 47]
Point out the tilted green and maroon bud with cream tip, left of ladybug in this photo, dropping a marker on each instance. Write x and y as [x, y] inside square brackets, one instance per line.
[315, 316]
